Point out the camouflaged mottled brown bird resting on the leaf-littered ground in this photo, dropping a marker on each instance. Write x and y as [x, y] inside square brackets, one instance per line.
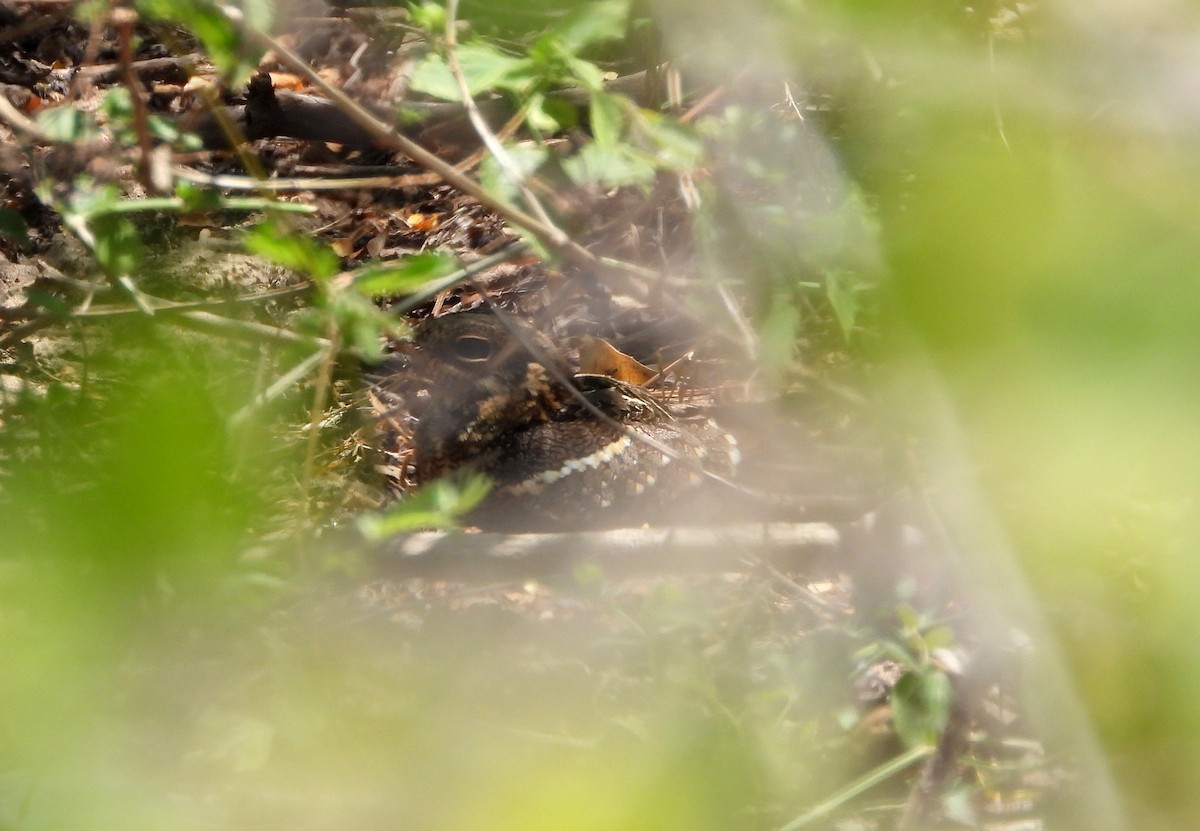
[565, 451]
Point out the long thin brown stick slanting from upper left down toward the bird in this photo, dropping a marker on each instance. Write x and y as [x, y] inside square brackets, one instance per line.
[389, 137]
